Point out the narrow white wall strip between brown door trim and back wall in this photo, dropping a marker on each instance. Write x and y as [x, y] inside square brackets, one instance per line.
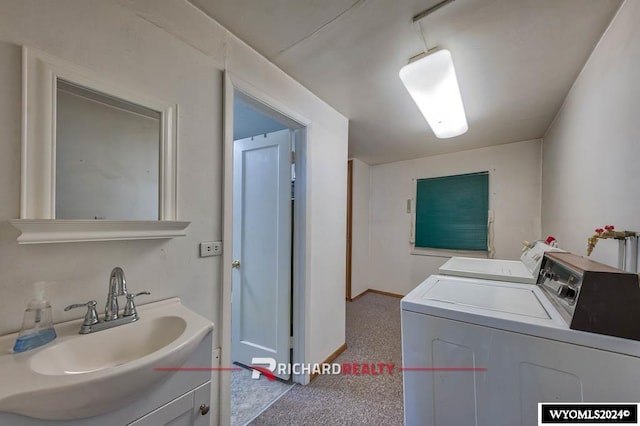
[360, 238]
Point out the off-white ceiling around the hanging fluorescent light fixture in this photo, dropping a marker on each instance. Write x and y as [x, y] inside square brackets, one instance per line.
[515, 61]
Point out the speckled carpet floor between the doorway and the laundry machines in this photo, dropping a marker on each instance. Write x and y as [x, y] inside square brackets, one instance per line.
[373, 336]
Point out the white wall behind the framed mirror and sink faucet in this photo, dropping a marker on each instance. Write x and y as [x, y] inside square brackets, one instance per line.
[130, 52]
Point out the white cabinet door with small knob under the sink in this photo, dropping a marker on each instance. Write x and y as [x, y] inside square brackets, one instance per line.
[182, 411]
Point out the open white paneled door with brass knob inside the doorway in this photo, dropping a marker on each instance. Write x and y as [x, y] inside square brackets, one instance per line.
[261, 276]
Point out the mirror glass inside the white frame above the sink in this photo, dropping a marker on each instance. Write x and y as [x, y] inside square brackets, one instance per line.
[107, 157]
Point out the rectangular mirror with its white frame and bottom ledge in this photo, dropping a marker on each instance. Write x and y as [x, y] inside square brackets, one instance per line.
[99, 159]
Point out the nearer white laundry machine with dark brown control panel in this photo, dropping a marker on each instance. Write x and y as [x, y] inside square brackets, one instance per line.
[486, 352]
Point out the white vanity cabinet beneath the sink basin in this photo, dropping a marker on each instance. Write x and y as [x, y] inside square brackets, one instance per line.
[175, 401]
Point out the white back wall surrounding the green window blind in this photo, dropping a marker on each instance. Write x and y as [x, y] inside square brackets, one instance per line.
[514, 186]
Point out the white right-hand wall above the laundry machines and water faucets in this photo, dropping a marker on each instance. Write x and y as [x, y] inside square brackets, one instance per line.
[590, 163]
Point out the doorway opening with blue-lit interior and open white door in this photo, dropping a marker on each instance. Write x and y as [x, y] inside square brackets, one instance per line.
[263, 270]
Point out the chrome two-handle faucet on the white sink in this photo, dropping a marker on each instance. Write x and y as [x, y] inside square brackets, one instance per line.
[117, 287]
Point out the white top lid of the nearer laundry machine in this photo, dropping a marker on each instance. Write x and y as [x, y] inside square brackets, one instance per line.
[518, 300]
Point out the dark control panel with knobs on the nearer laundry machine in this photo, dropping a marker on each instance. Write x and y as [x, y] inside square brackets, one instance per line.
[592, 296]
